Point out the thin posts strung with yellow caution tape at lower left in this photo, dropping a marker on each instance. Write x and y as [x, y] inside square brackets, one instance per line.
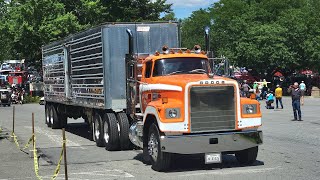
[32, 140]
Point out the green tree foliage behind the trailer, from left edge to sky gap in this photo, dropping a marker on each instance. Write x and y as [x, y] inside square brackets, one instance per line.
[27, 25]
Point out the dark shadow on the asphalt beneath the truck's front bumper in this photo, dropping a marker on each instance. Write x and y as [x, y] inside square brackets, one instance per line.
[182, 163]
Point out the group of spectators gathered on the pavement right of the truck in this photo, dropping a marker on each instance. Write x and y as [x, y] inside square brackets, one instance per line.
[260, 91]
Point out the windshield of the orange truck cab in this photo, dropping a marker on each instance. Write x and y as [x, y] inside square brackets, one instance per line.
[171, 66]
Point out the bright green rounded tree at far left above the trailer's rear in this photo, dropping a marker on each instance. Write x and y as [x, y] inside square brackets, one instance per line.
[33, 23]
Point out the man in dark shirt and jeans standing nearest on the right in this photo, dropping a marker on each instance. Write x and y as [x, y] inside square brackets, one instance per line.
[296, 99]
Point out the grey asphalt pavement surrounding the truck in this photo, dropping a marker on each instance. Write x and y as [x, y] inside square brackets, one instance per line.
[291, 150]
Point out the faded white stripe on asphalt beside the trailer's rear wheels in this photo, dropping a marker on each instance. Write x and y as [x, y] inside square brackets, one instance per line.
[55, 138]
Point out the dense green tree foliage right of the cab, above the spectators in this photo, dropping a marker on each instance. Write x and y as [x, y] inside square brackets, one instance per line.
[260, 34]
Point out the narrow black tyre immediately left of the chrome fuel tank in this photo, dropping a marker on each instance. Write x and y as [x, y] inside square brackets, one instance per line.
[124, 124]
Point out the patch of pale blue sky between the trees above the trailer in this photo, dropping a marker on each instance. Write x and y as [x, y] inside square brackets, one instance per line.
[184, 8]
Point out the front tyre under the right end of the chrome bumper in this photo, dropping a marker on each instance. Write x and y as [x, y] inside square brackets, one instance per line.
[247, 156]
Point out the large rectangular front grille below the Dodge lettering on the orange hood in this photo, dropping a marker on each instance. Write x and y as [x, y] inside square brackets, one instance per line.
[212, 108]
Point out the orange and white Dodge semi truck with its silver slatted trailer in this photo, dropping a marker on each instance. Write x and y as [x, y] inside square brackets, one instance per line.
[131, 92]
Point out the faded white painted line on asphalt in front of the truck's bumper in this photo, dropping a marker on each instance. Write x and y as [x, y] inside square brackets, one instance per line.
[233, 171]
